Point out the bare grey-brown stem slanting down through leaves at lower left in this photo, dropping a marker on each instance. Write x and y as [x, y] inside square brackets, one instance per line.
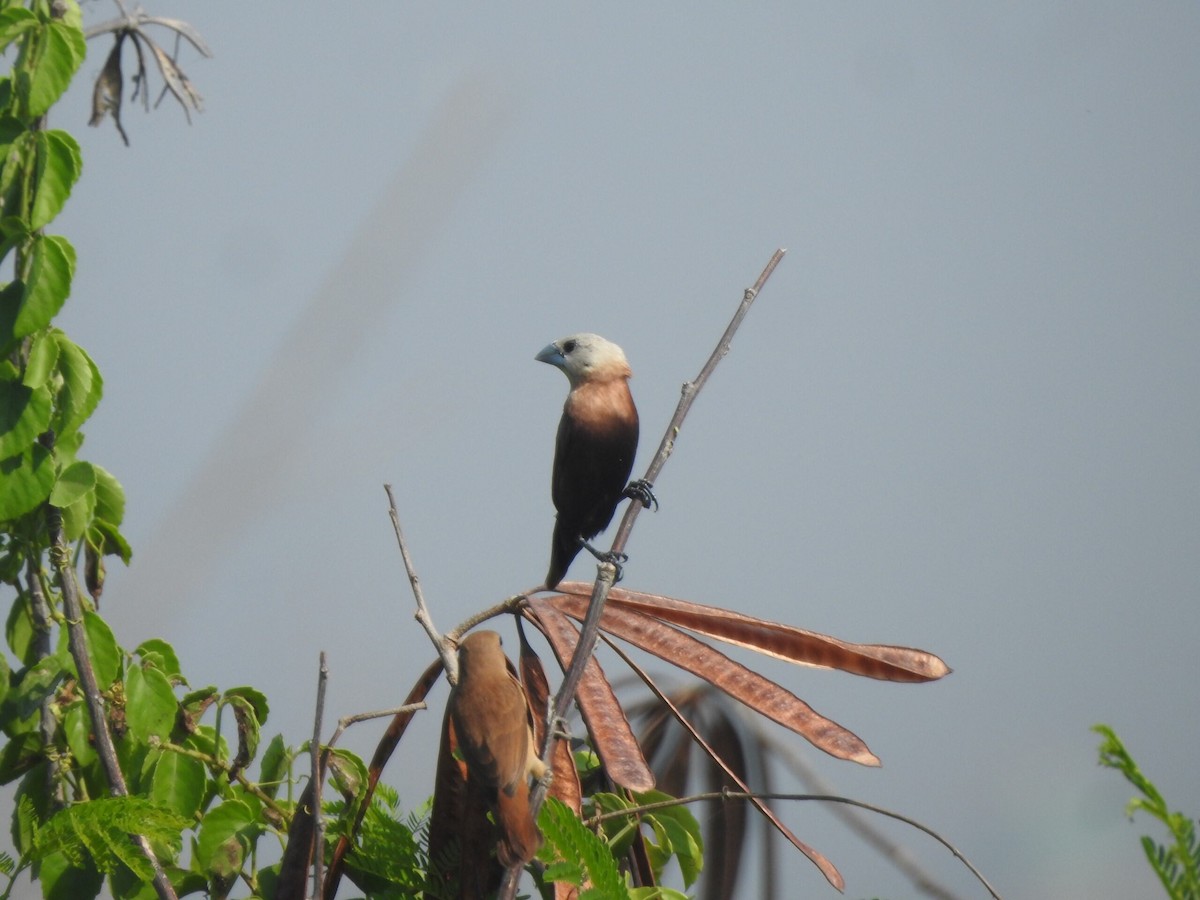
[77, 639]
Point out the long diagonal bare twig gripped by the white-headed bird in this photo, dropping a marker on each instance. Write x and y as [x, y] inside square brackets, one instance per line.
[607, 572]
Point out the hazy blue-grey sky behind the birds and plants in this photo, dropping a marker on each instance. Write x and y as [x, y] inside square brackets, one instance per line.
[963, 416]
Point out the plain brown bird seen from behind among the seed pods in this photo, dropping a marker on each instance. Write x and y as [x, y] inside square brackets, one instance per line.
[494, 729]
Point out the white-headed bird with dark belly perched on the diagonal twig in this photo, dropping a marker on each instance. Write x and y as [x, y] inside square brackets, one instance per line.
[595, 449]
